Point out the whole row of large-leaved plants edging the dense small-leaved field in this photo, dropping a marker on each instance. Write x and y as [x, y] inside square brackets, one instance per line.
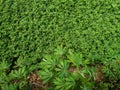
[62, 70]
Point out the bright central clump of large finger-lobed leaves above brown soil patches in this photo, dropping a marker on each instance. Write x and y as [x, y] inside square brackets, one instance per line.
[66, 72]
